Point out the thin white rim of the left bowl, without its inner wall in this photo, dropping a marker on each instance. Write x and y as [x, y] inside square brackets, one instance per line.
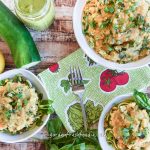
[46, 118]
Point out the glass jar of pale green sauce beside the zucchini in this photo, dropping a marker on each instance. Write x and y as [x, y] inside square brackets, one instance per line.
[35, 14]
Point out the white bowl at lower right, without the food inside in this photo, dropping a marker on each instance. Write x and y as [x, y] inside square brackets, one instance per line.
[101, 134]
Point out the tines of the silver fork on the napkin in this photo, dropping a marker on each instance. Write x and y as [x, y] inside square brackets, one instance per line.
[76, 76]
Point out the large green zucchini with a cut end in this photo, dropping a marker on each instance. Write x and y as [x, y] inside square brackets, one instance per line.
[18, 38]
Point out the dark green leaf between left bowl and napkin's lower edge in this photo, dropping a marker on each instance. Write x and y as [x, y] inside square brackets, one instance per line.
[54, 126]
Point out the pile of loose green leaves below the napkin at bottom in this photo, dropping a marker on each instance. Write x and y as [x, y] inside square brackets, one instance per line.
[59, 139]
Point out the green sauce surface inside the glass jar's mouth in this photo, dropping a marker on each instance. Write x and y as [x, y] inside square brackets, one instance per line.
[31, 6]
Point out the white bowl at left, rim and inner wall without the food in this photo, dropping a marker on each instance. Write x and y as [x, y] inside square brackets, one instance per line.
[38, 85]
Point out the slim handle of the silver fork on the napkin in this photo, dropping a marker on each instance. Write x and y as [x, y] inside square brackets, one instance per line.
[83, 111]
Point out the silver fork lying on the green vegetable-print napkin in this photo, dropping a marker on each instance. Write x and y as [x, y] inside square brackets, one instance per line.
[78, 89]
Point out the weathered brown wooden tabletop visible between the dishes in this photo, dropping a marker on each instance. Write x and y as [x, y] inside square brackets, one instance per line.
[54, 44]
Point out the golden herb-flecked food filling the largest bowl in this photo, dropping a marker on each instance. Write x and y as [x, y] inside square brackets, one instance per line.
[118, 30]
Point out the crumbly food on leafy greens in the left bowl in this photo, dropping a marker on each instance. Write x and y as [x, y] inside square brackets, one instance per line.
[21, 106]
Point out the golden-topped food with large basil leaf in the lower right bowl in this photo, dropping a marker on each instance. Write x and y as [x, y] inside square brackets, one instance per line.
[127, 124]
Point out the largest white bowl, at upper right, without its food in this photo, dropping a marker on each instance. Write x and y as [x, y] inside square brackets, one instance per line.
[77, 26]
